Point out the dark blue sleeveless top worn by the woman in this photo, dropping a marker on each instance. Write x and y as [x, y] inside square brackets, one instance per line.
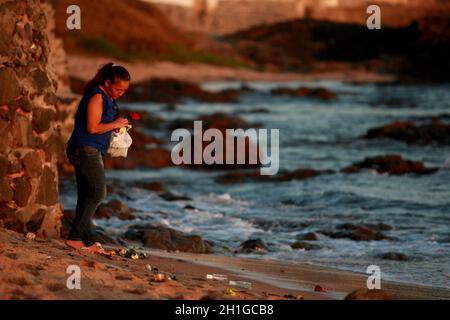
[80, 136]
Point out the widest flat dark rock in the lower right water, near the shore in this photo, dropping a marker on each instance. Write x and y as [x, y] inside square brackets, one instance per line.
[357, 233]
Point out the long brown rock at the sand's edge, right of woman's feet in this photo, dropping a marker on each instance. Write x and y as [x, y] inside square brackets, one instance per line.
[160, 237]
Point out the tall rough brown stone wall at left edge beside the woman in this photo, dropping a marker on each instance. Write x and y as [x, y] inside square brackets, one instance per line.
[29, 131]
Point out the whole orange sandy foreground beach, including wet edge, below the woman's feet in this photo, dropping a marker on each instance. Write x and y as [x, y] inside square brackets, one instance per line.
[40, 273]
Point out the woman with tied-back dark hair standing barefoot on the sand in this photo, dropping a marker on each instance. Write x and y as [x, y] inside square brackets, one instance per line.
[96, 117]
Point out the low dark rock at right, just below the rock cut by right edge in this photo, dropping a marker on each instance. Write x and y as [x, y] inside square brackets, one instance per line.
[391, 164]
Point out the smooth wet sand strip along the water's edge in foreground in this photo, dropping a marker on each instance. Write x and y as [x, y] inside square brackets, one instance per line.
[338, 282]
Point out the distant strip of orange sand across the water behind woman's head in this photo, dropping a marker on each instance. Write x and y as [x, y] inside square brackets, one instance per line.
[83, 67]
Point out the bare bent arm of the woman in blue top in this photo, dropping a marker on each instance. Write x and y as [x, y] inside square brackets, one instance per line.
[94, 117]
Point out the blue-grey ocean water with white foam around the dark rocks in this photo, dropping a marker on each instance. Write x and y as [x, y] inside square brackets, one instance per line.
[320, 135]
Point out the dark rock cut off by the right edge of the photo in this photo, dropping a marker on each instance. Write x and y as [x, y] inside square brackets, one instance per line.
[409, 132]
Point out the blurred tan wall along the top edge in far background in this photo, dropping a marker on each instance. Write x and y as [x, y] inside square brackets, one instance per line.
[229, 16]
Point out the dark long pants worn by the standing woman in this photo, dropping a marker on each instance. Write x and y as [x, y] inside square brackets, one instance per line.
[91, 188]
